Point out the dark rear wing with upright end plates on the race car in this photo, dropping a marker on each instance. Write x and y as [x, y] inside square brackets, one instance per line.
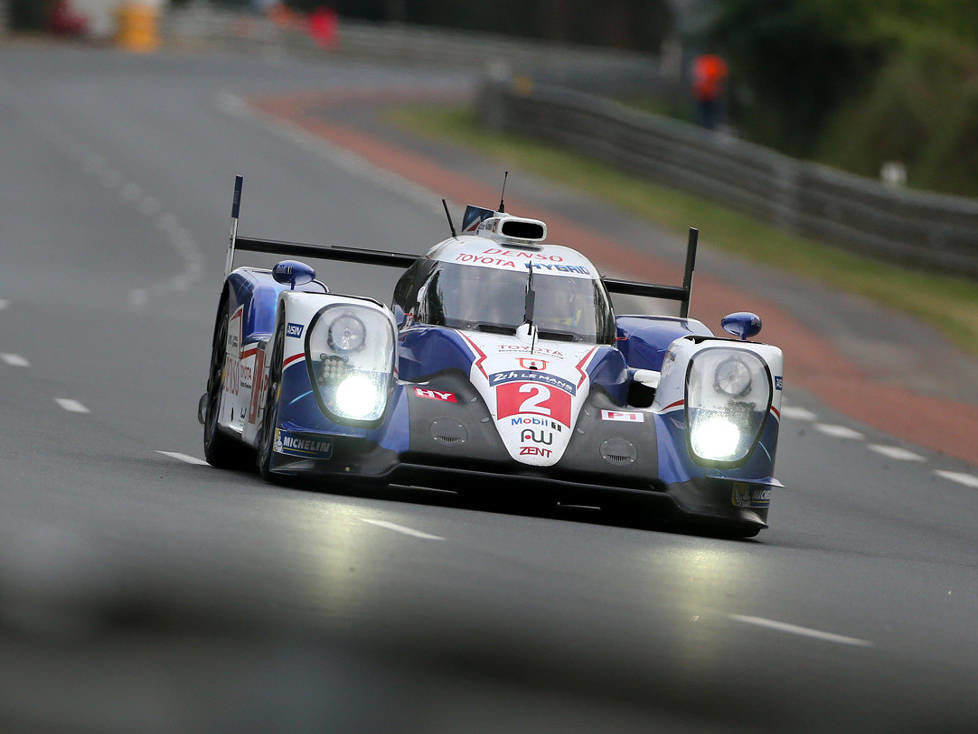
[344, 253]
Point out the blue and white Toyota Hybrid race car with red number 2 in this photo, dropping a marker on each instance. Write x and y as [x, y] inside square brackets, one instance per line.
[499, 368]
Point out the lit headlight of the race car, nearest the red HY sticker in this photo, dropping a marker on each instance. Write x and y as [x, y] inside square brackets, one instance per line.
[350, 356]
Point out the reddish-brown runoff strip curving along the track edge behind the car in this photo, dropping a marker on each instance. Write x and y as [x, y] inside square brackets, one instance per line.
[812, 361]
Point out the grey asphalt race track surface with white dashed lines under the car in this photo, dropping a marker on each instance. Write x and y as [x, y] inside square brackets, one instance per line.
[140, 591]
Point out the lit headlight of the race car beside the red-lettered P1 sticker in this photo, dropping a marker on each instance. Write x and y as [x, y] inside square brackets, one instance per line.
[728, 393]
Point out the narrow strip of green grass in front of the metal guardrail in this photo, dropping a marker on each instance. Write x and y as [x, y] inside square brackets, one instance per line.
[947, 303]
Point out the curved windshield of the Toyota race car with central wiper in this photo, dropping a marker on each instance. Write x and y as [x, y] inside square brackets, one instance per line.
[488, 299]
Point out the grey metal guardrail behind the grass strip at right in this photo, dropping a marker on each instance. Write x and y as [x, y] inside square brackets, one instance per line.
[934, 231]
